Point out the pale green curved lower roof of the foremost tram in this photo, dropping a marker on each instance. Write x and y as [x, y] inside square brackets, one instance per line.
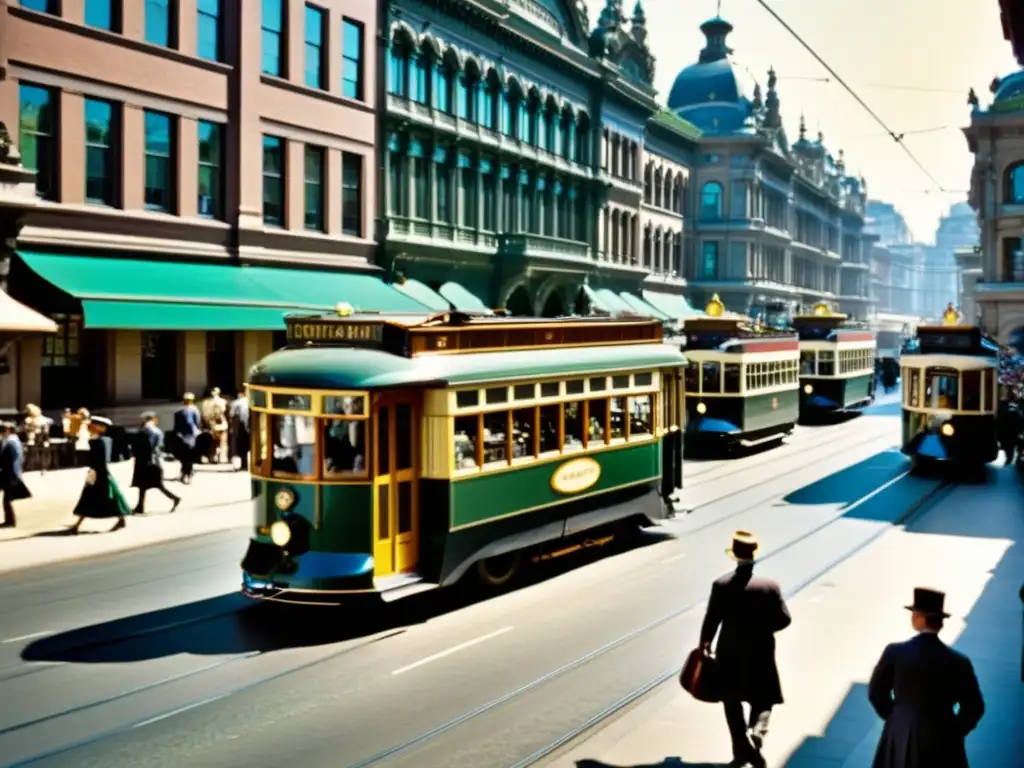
[354, 368]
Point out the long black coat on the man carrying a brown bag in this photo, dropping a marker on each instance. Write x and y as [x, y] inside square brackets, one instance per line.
[750, 612]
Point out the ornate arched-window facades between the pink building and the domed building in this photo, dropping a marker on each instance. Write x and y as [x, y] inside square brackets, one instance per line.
[516, 168]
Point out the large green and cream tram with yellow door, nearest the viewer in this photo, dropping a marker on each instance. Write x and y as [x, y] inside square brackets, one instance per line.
[395, 454]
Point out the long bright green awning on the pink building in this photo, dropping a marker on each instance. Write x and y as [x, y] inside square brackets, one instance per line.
[169, 295]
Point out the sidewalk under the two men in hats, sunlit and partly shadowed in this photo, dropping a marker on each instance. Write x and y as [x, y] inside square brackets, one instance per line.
[972, 548]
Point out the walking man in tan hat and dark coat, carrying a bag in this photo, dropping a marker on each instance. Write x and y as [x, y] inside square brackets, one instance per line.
[746, 612]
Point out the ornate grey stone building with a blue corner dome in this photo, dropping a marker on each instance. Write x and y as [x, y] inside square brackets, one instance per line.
[778, 226]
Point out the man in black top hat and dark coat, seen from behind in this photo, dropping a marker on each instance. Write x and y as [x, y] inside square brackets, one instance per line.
[915, 689]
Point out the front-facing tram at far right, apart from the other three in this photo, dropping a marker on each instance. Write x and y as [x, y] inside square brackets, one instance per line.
[951, 394]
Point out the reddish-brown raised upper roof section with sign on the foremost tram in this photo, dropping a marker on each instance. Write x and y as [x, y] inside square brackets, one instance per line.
[457, 333]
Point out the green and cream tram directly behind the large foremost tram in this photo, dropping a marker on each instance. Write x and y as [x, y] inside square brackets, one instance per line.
[742, 385]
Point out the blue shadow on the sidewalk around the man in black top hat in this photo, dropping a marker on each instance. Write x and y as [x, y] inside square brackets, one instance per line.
[993, 638]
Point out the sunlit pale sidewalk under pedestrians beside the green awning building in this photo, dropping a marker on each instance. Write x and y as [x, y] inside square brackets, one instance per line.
[218, 499]
